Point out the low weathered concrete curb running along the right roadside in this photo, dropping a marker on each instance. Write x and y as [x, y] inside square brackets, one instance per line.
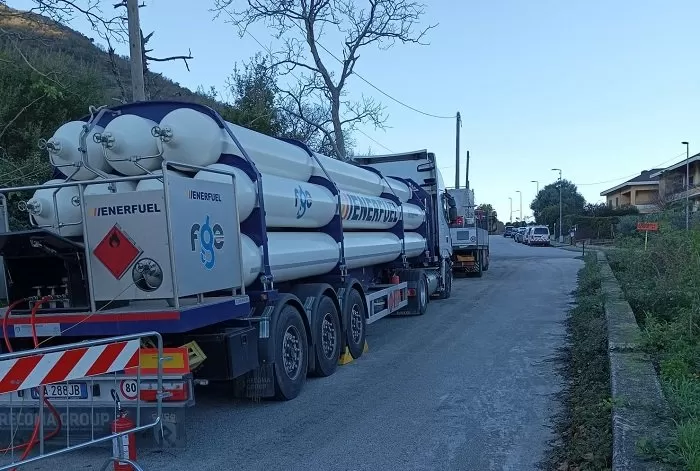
[640, 412]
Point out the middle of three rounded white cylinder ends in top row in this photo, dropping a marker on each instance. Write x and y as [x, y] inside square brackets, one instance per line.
[128, 136]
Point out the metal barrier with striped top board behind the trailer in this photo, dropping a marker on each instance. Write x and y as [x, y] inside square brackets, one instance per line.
[65, 377]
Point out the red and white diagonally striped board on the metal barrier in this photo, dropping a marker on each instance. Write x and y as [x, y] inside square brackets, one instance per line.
[75, 363]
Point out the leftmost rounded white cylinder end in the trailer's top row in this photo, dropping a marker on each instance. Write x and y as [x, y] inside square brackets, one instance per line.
[63, 148]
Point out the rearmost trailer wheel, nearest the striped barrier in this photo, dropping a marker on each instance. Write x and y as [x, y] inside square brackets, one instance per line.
[291, 354]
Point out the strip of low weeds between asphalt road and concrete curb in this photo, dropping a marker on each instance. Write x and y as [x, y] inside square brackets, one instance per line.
[584, 427]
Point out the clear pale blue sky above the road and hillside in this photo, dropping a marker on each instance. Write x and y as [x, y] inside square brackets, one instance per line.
[599, 89]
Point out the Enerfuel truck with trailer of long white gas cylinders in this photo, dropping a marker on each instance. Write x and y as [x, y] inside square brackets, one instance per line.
[257, 260]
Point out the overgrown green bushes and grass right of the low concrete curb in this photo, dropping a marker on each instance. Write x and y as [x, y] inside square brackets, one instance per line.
[662, 284]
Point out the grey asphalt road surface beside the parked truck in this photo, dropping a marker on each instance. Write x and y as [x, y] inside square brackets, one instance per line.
[469, 386]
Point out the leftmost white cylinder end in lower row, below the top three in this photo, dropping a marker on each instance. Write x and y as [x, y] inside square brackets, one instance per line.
[41, 207]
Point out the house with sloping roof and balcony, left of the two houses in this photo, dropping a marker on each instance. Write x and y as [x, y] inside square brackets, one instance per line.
[642, 192]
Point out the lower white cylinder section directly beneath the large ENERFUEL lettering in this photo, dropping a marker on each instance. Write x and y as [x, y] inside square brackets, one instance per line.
[369, 248]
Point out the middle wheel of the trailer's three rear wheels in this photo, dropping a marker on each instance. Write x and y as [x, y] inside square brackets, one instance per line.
[327, 335]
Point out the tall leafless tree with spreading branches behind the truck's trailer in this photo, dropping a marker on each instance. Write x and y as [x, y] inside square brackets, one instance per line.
[300, 27]
